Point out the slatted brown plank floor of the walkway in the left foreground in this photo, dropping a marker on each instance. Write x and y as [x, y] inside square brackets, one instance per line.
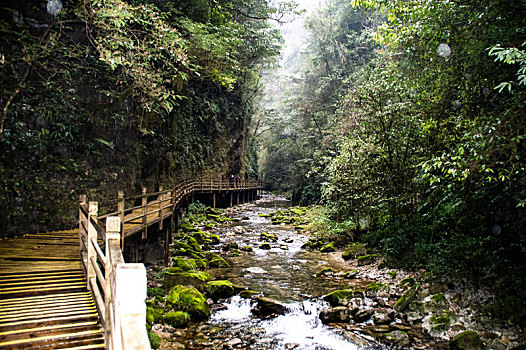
[44, 301]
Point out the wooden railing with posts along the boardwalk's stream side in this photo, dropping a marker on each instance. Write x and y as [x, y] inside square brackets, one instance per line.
[119, 288]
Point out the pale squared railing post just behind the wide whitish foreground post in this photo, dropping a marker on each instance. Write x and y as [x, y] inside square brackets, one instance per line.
[113, 239]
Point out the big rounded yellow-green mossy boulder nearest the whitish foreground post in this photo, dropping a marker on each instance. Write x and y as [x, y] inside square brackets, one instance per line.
[189, 299]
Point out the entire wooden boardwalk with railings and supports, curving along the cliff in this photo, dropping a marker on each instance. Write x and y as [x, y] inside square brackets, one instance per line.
[45, 302]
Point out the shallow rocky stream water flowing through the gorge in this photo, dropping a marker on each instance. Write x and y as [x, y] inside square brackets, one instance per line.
[286, 273]
